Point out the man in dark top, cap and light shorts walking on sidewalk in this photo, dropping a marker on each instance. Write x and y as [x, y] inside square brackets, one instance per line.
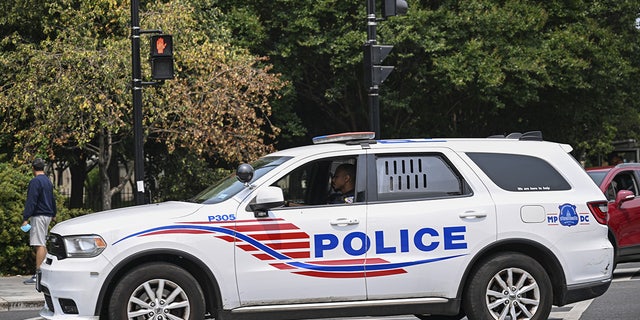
[40, 209]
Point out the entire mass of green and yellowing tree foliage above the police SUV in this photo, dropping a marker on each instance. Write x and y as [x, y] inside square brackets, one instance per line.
[253, 73]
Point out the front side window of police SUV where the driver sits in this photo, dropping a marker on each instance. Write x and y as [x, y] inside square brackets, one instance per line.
[311, 183]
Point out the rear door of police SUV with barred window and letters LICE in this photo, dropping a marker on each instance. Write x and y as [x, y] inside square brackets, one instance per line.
[428, 213]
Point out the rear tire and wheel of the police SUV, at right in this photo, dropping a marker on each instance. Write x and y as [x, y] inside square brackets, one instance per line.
[509, 286]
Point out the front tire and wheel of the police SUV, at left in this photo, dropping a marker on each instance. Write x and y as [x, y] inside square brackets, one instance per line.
[135, 297]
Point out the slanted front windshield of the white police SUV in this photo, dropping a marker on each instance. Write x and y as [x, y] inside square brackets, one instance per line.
[230, 186]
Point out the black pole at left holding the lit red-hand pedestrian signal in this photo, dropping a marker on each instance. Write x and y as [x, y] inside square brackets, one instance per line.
[136, 90]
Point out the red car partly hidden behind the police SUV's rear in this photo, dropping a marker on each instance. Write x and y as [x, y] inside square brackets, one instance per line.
[621, 186]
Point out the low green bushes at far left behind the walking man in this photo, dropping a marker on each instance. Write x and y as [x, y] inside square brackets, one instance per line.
[16, 256]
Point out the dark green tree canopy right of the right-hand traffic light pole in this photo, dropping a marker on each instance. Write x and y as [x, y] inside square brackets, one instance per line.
[495, 67]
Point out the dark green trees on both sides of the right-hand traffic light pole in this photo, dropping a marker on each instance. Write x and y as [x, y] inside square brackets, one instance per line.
[463, 68]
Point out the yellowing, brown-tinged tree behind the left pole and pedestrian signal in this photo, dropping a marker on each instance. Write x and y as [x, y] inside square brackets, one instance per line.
[73, 90]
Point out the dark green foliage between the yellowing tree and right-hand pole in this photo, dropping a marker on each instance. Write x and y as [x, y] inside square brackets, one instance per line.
[316, 45]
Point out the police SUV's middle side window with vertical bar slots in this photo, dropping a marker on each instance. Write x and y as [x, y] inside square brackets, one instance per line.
[416, 176]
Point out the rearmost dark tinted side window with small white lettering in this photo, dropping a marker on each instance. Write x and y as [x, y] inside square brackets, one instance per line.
[515, 172]
